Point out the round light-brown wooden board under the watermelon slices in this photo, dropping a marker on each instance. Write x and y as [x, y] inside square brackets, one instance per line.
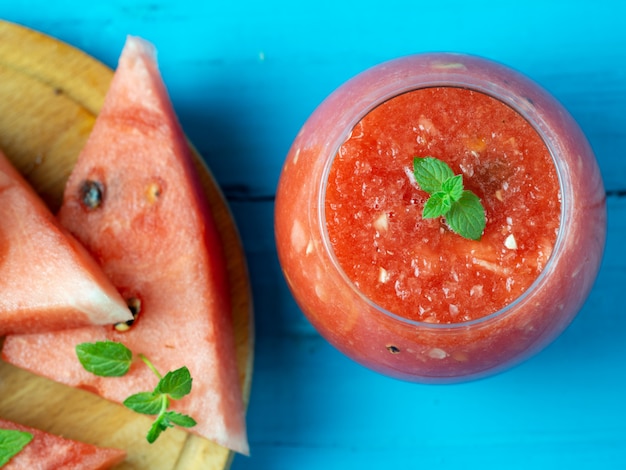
[50, 94]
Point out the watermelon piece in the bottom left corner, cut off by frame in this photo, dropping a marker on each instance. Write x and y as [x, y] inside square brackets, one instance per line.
[51, 452]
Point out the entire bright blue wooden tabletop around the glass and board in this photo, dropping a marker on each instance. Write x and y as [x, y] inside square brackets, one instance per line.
[244, 76]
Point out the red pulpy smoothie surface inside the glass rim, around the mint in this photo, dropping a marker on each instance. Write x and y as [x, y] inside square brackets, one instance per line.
[418, 268]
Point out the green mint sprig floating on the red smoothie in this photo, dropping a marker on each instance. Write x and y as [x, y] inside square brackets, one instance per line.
[460, 207]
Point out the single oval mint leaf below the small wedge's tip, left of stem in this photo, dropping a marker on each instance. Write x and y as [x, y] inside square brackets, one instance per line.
[105, 358]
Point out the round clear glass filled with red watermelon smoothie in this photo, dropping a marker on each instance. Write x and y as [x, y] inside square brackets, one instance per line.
[410, 296]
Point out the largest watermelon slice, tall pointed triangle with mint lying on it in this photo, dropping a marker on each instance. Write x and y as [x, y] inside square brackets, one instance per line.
[154, 236]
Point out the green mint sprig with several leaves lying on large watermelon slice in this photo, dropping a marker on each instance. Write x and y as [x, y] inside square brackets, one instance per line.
[112, 359]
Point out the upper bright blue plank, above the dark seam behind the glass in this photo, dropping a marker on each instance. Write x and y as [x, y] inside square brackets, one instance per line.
[245, 75]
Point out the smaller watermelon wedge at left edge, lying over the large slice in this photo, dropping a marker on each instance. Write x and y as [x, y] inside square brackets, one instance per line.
[48, 281]
